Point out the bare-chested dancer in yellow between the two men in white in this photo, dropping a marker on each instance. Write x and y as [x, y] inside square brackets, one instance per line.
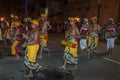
[93, 37]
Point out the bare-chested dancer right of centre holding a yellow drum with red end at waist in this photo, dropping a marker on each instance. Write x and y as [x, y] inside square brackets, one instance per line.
[71, 45]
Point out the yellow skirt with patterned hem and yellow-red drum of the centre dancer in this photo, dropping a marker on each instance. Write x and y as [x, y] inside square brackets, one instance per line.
[70, 52]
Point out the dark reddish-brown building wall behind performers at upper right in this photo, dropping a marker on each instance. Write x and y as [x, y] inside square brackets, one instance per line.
[60, 10]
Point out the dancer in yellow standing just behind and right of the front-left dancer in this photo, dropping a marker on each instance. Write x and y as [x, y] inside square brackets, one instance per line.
[44, 35]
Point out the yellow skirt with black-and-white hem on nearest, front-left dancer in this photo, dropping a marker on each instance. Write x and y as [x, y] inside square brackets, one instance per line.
[31, 55]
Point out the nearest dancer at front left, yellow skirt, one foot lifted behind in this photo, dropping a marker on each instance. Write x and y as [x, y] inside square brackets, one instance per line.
[32, 50]
